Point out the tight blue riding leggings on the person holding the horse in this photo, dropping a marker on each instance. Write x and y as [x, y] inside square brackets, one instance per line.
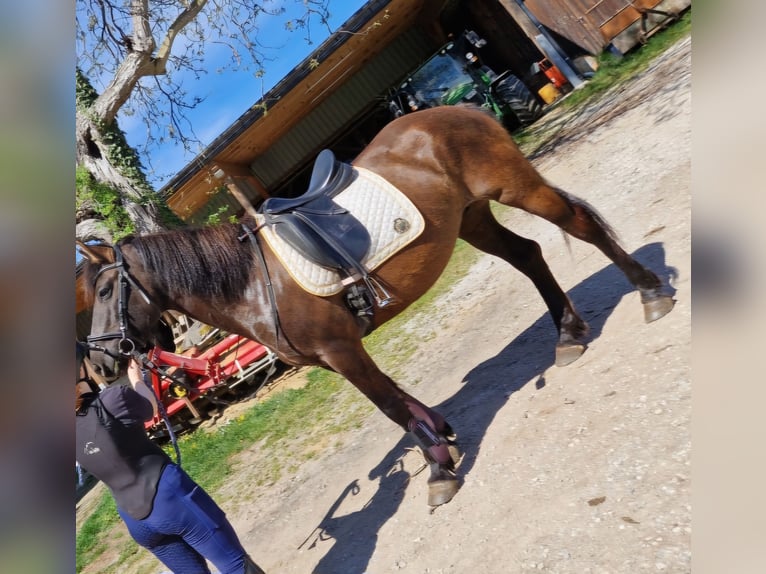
[185, 527]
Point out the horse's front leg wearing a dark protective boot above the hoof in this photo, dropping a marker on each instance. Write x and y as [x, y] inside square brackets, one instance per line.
[431, 431]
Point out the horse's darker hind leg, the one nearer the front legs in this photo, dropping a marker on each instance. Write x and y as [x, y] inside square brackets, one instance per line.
[481, 229]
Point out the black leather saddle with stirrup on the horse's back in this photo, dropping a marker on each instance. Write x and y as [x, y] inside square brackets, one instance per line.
[323, 231]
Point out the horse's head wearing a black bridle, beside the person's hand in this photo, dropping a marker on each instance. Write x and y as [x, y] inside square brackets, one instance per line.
[125, 318]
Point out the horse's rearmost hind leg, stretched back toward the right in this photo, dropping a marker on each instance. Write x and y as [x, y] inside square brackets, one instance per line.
[581, 220]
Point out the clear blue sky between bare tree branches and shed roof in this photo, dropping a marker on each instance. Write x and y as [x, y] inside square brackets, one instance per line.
[228, 95]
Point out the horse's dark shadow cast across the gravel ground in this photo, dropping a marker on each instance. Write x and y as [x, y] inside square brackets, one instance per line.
[485, 390]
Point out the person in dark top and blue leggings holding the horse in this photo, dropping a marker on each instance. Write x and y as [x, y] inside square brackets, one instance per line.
[165, 511]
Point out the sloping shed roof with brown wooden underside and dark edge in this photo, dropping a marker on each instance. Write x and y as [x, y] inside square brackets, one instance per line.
[369, 31]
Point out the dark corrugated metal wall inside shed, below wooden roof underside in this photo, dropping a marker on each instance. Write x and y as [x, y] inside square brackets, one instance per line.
[323, 123]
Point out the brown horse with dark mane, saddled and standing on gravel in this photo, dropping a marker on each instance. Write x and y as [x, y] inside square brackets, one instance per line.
[451, 162]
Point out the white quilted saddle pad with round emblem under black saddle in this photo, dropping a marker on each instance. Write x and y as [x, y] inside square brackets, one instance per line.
[390, 217]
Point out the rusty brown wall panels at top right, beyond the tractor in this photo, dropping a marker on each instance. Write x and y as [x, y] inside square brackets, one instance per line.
[587, 22]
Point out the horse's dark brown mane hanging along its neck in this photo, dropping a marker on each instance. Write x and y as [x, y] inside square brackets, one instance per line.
[206, 261]
